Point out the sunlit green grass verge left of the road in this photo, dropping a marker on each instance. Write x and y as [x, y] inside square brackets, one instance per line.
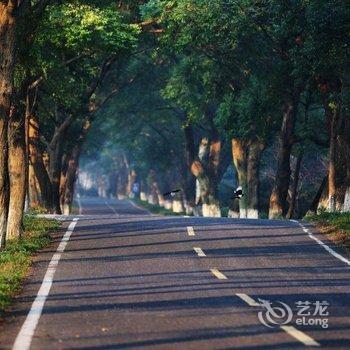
[16, 258]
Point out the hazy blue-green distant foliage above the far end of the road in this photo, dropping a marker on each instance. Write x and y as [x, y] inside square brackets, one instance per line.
[138, 123]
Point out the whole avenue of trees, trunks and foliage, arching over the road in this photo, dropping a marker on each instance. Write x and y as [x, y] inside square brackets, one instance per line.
[202, 95]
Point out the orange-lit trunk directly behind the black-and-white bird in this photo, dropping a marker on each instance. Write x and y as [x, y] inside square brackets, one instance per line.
[239, 155]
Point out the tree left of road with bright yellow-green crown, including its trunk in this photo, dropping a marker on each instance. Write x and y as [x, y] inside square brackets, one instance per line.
[85, 42]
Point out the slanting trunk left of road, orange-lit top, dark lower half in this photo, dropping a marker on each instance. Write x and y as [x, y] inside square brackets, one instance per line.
[36, 160]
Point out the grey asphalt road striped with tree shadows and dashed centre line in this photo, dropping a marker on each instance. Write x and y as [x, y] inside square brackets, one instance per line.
[131, 280]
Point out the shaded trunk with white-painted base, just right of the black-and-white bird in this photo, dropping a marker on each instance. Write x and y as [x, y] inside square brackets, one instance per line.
[253, 166]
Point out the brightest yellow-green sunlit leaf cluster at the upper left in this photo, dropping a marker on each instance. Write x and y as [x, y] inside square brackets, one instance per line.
[87, 30]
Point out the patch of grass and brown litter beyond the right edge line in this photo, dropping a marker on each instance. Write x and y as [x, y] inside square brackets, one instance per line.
[336, 225]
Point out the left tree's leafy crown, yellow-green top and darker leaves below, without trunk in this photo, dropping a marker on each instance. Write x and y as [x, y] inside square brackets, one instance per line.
[72, 43]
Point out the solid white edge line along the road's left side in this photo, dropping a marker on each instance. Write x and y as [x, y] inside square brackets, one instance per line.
[26, 333]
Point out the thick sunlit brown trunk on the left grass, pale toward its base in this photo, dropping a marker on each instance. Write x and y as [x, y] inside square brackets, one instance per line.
[17, 163]
